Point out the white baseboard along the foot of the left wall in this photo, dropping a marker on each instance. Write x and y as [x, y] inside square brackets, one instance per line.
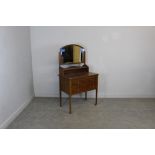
[8, 121]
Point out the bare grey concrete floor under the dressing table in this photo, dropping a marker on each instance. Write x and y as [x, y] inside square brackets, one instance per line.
[45, 113]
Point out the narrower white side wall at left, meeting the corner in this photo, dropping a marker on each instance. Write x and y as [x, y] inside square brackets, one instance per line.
[16, 81]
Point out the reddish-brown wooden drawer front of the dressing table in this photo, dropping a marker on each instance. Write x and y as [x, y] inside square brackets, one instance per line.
[83, 84]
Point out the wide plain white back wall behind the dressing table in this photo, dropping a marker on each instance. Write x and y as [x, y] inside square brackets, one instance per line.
[123, 56]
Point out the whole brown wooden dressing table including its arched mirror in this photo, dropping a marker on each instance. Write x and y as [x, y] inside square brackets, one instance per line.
[74, 75]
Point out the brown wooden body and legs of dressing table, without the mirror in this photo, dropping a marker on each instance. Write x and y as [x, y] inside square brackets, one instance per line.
[74, 80]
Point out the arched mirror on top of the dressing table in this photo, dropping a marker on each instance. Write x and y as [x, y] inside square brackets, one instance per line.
[72, 54]
